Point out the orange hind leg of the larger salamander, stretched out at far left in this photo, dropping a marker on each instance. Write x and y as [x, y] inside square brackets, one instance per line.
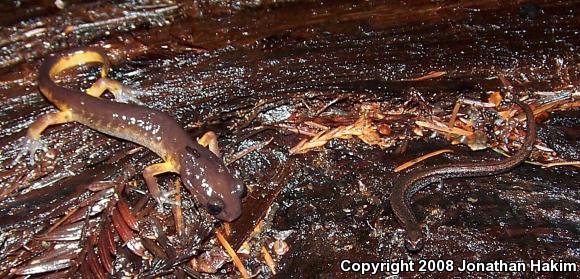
[32, 142]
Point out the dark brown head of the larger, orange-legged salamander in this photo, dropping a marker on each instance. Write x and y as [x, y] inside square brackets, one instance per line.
[204, 174]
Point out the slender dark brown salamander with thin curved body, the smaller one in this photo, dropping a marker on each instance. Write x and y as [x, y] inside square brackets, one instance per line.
[405, 188]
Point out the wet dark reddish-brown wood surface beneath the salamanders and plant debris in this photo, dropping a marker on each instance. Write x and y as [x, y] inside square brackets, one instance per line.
[242, 71]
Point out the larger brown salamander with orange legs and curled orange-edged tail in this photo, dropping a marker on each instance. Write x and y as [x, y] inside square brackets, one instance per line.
[202, 172]
